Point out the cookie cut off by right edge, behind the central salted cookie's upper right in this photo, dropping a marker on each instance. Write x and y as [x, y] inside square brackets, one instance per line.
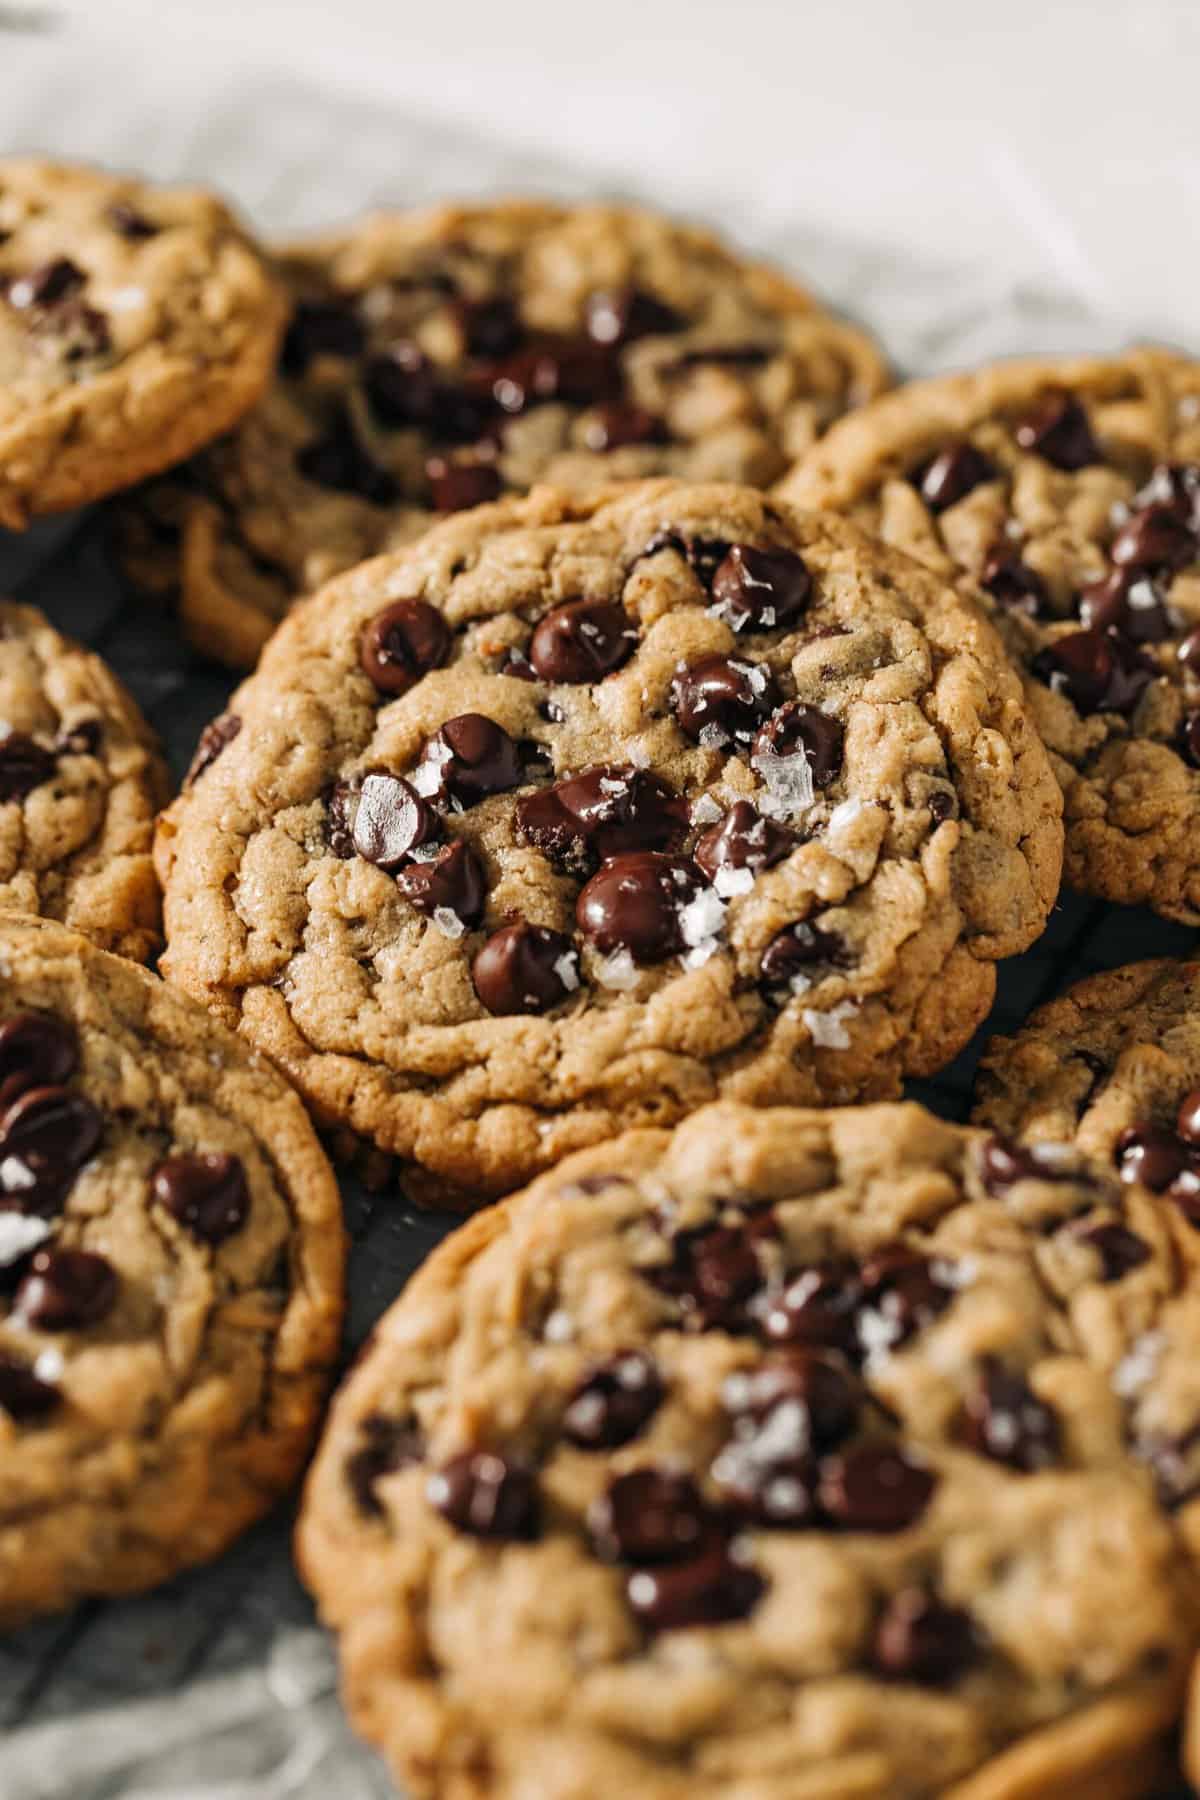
[1070, 492]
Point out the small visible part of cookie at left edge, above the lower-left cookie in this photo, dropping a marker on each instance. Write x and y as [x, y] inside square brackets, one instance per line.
[82, 780]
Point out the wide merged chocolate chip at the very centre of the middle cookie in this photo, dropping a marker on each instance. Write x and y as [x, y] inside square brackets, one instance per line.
[609, 809]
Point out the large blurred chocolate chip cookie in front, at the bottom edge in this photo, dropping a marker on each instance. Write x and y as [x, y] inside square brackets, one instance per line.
[787, 1455]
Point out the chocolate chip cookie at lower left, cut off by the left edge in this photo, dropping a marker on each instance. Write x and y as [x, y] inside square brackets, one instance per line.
[170, 1277]
